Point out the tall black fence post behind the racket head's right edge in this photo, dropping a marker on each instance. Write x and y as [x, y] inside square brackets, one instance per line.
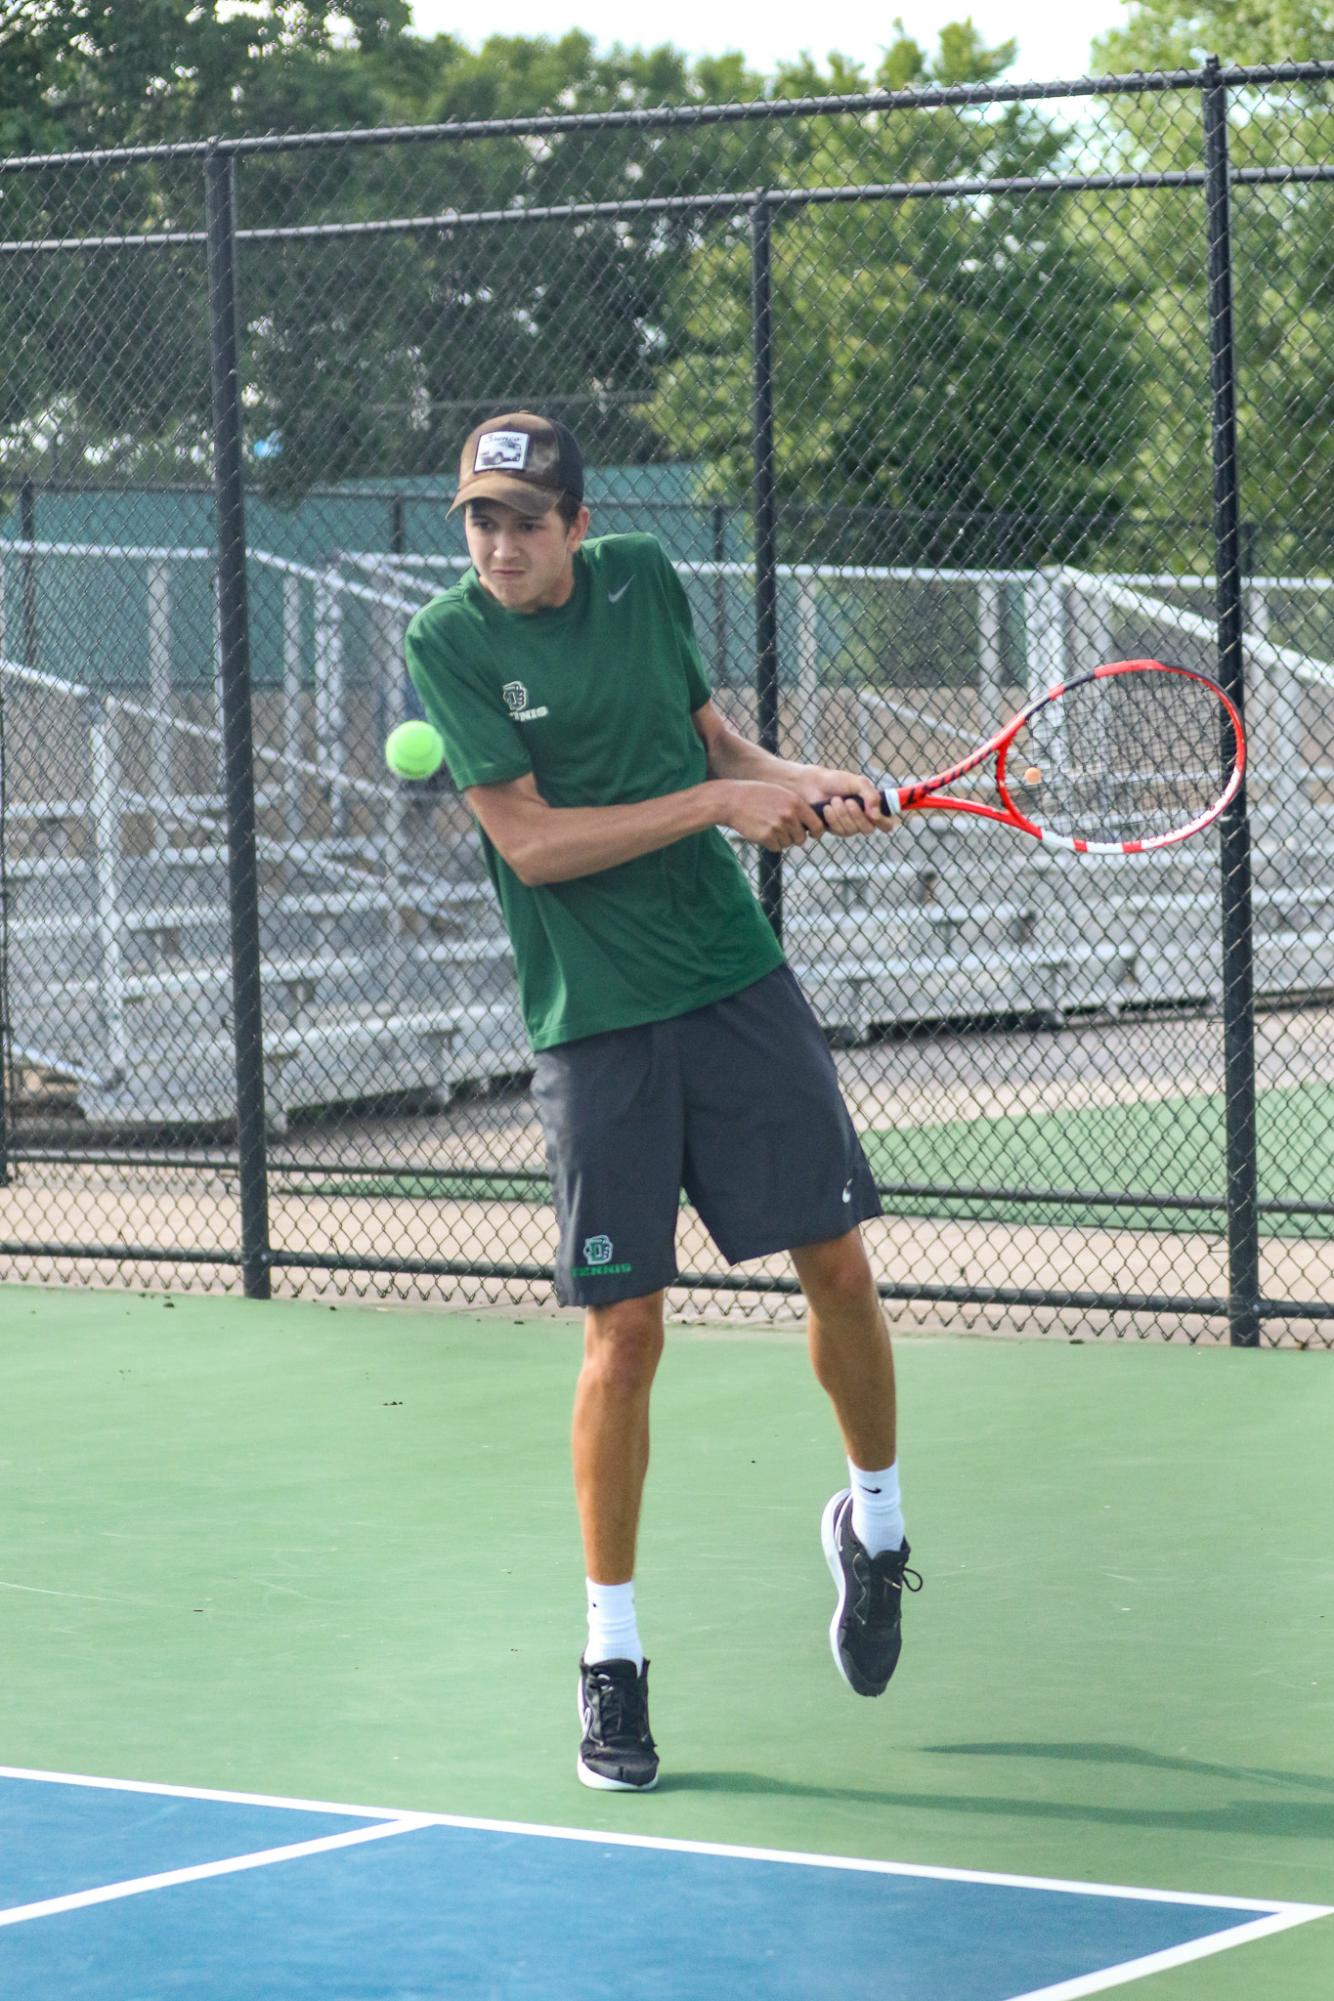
[1239, 1022]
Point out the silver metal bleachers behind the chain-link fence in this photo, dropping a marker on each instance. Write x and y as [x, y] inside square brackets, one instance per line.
[387, 969]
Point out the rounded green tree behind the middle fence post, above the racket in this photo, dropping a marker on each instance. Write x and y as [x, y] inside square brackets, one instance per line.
[951, 363]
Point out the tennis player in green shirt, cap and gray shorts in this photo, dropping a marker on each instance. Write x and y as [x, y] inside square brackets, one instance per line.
[673, 1046]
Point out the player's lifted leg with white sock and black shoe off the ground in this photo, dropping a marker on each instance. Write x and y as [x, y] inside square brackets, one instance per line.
[863, 1528]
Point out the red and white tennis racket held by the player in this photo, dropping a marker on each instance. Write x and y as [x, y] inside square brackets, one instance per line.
[1125, 759]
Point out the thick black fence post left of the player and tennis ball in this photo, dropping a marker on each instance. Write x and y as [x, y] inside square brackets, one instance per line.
[237, 727]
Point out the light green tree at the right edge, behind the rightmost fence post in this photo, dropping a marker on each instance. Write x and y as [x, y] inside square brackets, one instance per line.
[1283, 263]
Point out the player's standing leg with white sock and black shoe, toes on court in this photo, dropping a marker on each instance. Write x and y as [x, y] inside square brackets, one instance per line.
[623, 1348]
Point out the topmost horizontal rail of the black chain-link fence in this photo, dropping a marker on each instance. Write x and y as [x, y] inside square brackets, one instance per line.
[689, 115]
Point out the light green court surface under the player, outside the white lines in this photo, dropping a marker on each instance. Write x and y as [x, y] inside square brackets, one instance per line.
[333, 1556]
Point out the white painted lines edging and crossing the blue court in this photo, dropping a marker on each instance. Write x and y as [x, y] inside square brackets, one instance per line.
[1273, 1914]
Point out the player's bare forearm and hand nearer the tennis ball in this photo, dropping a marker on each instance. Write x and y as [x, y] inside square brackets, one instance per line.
[561, 843]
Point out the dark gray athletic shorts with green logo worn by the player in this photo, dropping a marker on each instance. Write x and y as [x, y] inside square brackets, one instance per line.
[735, 1104]
